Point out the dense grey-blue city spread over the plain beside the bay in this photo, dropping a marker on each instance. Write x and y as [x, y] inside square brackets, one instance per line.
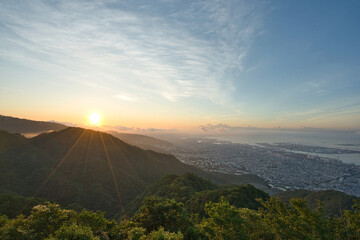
[282, 168]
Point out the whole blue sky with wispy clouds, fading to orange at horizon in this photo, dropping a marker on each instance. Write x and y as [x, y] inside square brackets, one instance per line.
[182, 64]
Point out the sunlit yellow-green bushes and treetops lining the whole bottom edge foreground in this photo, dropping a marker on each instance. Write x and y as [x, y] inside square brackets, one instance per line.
[167, 219]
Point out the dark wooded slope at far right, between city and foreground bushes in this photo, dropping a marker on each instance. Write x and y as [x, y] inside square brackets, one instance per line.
[334, 202]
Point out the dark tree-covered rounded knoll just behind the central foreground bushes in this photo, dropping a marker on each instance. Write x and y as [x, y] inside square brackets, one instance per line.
[195, 192]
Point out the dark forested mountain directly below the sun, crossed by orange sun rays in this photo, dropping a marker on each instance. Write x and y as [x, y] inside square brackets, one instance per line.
[86, 167]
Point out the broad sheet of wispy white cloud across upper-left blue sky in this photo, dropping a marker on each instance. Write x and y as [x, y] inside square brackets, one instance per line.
[185, 50]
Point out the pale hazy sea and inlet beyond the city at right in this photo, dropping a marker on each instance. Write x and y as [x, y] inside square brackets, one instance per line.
[332, 139]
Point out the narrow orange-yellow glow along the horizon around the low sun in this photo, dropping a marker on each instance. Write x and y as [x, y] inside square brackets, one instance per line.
[107, 119]
